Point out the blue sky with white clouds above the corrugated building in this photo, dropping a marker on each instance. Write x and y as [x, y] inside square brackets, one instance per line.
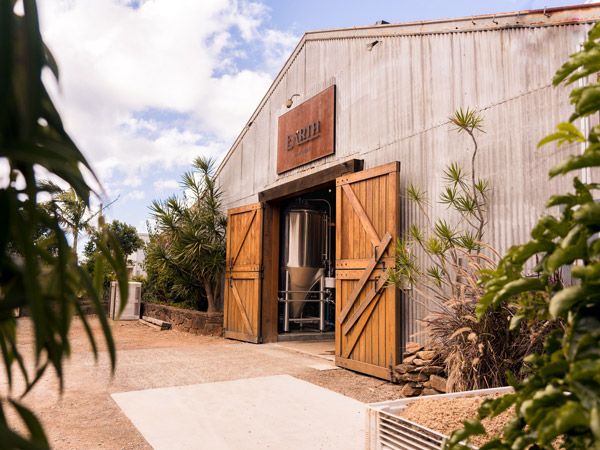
[148, 85]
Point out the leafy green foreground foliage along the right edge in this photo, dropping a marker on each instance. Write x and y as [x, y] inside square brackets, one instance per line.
[560, 401]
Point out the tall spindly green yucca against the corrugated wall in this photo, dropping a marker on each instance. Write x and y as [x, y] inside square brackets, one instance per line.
[441, 240]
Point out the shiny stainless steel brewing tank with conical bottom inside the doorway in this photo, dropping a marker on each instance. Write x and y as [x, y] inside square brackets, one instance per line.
[304, 253]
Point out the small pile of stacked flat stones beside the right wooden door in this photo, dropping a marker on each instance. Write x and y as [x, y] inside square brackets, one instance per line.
[421, 371]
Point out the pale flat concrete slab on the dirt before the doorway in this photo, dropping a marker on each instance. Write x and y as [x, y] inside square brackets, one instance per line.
[277, 412]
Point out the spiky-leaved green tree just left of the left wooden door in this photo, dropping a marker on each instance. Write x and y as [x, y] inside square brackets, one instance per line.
[190, 246]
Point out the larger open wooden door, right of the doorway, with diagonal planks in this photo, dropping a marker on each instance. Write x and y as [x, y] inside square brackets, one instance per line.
[367, 334]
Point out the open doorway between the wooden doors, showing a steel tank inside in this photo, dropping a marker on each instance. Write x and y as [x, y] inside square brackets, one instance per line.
[306, 286]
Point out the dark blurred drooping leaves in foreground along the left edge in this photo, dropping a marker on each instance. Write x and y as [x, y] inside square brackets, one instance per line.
[34, 277]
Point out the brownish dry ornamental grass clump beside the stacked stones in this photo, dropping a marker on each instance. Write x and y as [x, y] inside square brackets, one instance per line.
[479, 353]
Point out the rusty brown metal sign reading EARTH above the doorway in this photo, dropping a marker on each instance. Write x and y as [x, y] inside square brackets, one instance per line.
[307, 132]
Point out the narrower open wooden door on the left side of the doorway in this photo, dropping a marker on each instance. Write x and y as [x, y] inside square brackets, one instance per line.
[243, 275]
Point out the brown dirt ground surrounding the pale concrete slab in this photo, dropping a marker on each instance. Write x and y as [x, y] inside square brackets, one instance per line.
[86, 417]
